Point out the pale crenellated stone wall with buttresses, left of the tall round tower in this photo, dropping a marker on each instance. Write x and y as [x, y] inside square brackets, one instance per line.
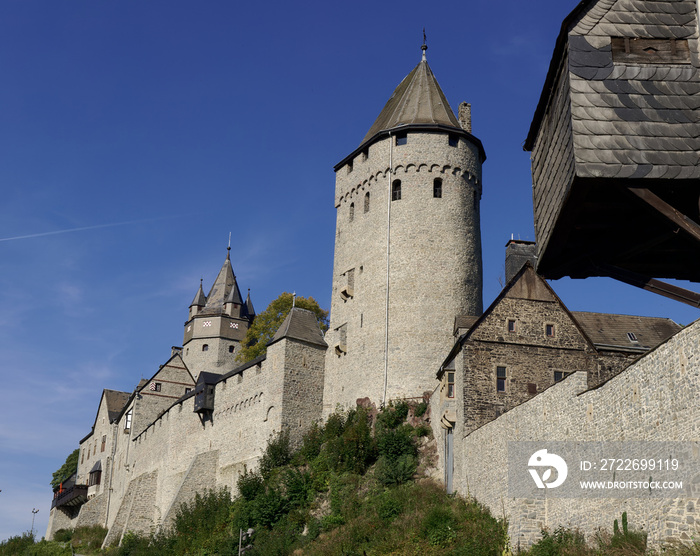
[180, 453]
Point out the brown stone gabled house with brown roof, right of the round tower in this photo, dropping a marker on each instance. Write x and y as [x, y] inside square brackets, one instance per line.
[525, 342]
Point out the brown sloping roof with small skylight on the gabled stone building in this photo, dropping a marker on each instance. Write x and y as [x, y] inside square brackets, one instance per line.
[609, 330]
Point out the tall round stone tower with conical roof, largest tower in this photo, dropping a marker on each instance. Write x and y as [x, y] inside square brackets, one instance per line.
[407, 248]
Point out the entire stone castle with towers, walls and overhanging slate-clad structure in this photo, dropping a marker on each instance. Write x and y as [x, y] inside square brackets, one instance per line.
[406, 313]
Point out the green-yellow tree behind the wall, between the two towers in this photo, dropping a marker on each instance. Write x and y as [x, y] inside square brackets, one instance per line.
[266, 324]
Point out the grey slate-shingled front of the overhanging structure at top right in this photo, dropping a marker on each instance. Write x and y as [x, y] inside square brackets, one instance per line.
[629, 120]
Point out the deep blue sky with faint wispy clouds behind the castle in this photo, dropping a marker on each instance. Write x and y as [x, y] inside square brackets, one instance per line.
[135, 135]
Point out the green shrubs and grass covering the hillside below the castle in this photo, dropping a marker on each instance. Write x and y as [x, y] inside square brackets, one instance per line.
[356, 486]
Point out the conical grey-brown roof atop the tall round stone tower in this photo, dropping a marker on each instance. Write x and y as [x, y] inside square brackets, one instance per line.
[417, 100]
